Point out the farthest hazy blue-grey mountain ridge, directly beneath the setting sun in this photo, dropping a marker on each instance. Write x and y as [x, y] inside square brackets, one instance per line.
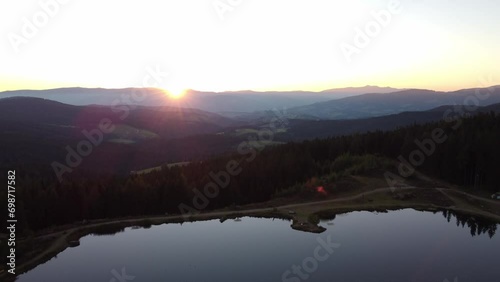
[219, 102]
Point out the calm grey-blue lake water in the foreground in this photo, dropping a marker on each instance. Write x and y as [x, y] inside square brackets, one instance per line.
[397, 246]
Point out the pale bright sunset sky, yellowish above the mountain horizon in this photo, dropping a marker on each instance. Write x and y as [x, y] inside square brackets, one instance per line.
[262, 45]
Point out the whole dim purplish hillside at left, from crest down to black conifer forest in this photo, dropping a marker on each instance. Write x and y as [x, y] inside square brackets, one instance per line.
[37, 131]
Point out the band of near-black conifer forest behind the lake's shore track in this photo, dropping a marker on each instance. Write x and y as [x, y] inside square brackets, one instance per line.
[468, 157]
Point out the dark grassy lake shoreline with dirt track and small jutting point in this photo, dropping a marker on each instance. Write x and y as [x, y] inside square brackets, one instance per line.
[306, 218]
